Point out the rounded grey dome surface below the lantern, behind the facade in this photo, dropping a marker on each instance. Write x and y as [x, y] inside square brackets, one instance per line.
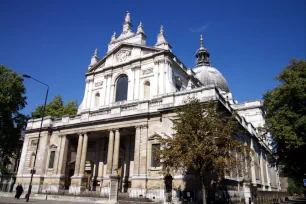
[211, 76]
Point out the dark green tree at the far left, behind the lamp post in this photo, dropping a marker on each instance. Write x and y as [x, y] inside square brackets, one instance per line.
[12, 101]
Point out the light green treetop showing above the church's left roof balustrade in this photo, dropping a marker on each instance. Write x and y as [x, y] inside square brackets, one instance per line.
[57, 108]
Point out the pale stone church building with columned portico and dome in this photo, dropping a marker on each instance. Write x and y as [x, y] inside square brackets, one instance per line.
[129, 101]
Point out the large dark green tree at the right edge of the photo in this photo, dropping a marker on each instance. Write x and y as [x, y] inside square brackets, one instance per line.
[285, 108]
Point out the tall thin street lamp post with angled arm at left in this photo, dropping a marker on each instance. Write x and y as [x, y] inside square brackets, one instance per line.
[37, 145]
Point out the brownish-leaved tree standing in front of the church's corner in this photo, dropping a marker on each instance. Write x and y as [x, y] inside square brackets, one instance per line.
[205, 143]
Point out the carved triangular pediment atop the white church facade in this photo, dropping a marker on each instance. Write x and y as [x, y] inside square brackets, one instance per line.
[123, 53]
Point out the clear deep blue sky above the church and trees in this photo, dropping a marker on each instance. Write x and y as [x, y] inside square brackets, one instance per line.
[250, 42]
